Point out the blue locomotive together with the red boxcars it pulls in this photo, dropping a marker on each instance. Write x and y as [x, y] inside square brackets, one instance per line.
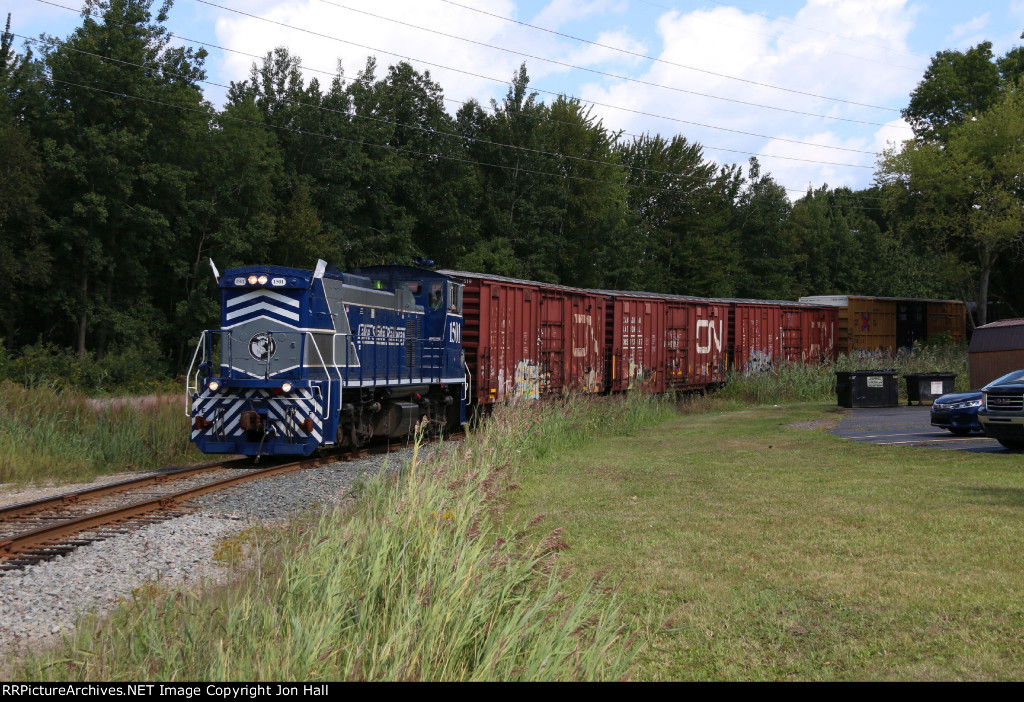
[309, 360]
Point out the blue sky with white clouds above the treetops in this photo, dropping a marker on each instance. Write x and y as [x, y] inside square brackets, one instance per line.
[812, 87]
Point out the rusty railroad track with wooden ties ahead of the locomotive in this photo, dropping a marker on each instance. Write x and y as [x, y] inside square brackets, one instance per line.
[42, 530]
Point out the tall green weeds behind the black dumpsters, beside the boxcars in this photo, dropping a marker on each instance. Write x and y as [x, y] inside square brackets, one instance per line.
[817, 382]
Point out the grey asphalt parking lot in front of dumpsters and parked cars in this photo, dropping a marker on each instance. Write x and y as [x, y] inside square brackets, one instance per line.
[908, 426]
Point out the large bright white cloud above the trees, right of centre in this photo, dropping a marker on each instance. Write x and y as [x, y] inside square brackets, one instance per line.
[767, 53]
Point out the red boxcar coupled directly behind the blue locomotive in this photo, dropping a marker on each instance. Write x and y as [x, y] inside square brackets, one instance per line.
[526, 340]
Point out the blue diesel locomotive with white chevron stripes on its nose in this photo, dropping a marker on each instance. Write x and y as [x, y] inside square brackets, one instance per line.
[308, 360]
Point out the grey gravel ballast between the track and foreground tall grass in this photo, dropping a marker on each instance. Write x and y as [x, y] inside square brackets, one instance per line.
[39, 603]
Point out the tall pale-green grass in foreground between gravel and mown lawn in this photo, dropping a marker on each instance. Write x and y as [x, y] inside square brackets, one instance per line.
[423, 578]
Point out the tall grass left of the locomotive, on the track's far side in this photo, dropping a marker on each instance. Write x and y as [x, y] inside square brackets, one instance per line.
[60, 435]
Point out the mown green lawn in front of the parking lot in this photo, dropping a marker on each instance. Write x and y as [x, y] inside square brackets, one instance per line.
[750, 549]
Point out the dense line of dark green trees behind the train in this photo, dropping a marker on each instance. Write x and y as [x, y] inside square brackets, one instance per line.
[119, 180]
